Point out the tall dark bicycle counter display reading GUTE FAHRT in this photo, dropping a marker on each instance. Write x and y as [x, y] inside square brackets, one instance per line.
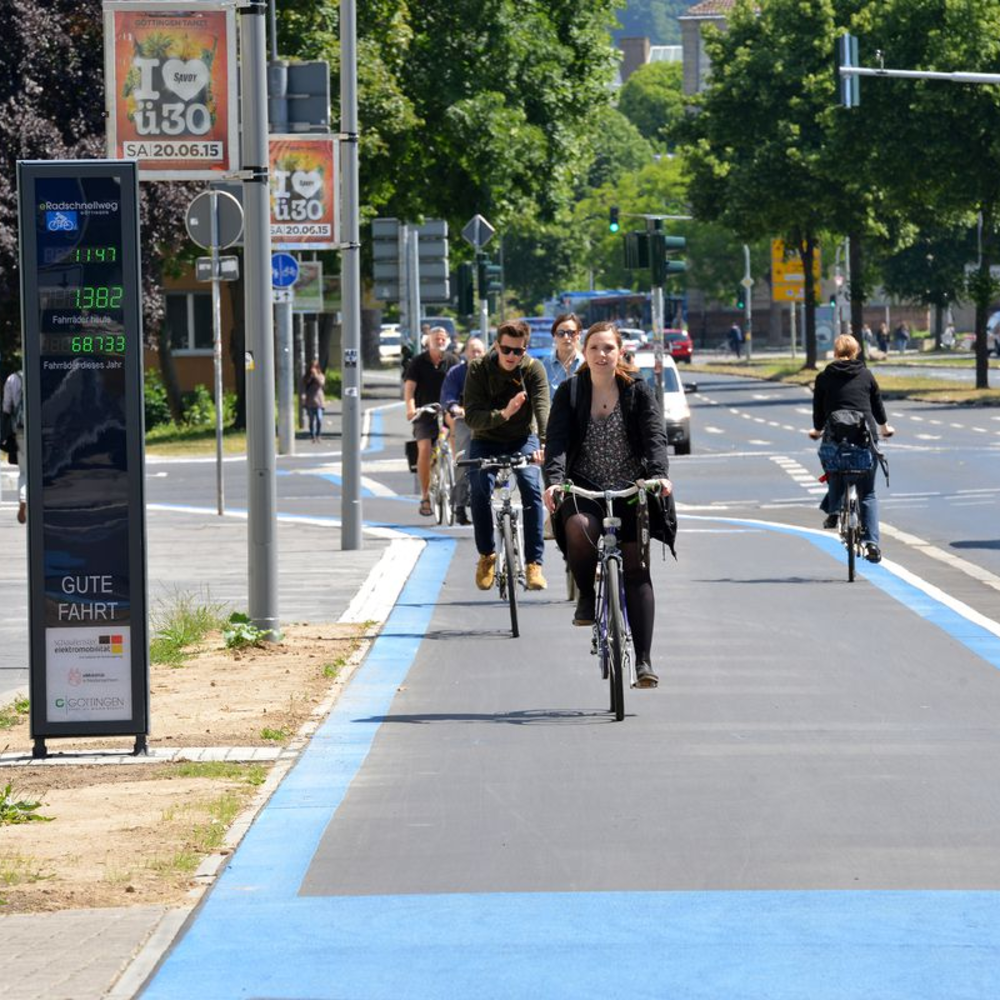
[83, 425]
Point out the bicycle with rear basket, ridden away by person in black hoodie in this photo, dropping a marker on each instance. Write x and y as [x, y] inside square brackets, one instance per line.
[852, 457]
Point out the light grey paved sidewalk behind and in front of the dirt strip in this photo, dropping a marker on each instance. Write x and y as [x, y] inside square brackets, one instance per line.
[94, 954]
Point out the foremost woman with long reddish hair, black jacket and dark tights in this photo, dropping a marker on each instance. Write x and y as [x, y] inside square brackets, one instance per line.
[606, 433]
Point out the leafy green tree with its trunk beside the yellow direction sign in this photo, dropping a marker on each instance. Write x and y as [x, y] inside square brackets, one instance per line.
[757, 154]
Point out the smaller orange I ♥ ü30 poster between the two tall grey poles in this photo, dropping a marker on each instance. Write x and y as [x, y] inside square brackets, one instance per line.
[304, 192]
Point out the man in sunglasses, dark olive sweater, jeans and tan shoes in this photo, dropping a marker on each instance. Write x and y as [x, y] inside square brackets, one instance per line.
[507, 409]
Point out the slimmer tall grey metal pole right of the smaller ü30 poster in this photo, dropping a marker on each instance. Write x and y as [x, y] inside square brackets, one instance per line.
[350, 281]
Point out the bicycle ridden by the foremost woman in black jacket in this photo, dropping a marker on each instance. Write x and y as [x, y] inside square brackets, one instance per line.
[611, 638]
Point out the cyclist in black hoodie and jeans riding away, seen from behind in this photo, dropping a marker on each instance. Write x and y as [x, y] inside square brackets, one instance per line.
[846, 384]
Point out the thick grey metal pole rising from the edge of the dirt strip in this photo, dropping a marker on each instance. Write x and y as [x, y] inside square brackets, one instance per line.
[261, 492]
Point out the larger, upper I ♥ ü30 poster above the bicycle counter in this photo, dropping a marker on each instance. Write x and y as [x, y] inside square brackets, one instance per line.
[170, 87]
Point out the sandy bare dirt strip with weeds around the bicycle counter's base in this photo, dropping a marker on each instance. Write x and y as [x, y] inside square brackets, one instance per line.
[133, 834]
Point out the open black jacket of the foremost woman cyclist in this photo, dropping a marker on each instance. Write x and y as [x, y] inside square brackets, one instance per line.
[644, 427]
